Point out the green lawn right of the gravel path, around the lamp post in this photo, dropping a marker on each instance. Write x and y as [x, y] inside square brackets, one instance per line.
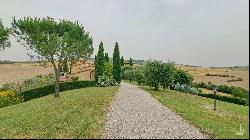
[223, 123]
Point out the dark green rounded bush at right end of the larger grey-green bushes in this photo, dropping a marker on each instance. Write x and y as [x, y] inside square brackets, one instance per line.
[182, 77]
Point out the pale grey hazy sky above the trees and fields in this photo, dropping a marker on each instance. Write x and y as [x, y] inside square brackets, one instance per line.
[196, 32]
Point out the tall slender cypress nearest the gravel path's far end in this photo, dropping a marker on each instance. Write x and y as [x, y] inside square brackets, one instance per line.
[117, 64]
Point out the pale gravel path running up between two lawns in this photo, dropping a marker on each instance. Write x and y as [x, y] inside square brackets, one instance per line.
[136, 114]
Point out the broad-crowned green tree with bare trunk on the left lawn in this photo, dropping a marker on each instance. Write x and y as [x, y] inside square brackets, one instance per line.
[54, 41]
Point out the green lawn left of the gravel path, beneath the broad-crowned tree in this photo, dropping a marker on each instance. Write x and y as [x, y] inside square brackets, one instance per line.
[77, 113]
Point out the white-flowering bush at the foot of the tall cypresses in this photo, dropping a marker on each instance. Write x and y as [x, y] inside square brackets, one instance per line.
[104, 81]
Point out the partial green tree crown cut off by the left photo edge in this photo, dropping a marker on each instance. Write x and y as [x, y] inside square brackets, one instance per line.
[4, 37]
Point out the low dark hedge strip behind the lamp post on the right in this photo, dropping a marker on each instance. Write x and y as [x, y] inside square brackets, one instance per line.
[235, 100]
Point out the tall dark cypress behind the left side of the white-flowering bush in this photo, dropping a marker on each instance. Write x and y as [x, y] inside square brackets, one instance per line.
[99, 62]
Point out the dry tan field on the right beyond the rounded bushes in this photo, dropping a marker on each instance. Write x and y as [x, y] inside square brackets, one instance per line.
[199, 74]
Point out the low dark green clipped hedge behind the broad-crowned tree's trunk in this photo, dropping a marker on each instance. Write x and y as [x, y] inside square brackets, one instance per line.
[50, 89]
